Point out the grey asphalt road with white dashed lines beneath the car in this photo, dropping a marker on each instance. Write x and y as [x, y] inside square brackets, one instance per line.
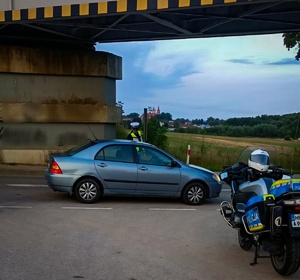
[47, 235]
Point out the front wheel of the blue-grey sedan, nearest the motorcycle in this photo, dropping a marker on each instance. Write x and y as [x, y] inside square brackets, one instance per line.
[194, 194]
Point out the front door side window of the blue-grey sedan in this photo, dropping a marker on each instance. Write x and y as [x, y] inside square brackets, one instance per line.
[153, 157]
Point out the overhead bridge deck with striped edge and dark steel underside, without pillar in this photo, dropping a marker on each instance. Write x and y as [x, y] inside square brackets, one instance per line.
[83, 23]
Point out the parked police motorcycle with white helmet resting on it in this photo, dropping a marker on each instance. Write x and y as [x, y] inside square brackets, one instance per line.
[265, 209]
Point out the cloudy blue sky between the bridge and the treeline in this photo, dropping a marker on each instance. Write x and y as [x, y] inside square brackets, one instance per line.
[216, 77]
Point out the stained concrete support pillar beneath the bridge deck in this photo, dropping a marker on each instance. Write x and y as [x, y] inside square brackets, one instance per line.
[52, 99]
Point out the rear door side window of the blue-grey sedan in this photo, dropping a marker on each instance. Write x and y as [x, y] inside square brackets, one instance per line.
[121, 153]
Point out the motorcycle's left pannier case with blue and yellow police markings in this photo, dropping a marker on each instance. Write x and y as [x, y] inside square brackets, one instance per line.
[258, 211]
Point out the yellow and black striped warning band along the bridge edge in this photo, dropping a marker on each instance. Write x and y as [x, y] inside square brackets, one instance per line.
[105, 8]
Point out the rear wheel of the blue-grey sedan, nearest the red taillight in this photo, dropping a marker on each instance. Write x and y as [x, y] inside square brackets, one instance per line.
[87, 191]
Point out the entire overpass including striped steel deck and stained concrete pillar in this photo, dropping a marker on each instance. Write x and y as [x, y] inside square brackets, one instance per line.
[56, 91]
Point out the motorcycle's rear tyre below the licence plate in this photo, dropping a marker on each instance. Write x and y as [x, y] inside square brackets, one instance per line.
[287, 261]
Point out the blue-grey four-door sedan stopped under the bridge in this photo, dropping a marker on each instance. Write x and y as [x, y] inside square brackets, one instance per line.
[123, 167]
